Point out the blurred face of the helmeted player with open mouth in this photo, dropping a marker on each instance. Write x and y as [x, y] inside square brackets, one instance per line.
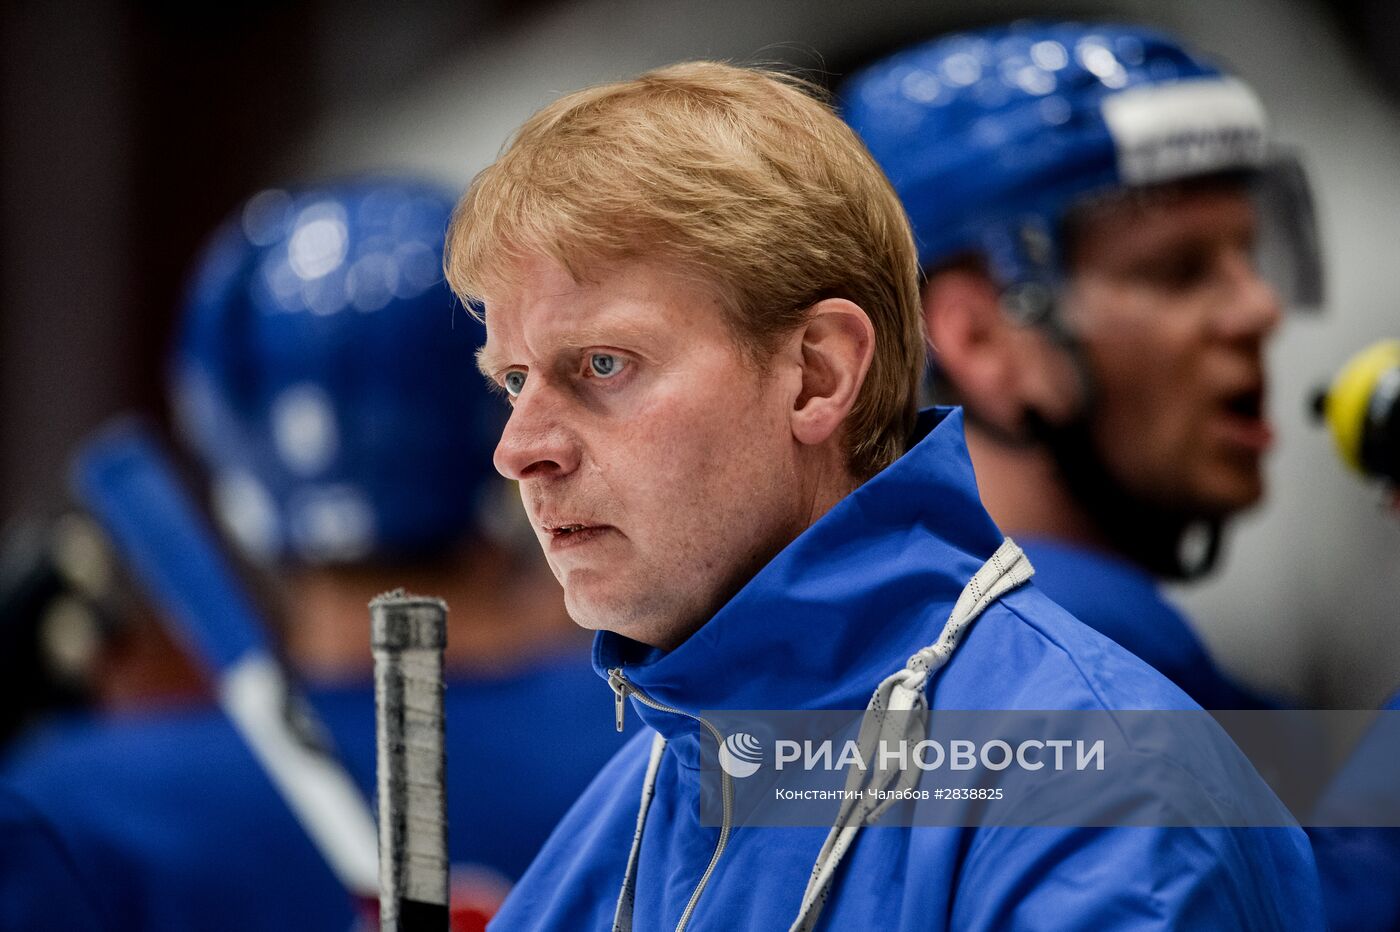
[1174, 320]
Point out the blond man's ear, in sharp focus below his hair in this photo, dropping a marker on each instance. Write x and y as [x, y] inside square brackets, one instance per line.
[836, 346]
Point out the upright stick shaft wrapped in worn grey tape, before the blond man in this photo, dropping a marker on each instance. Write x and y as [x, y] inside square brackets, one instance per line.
[408, 636]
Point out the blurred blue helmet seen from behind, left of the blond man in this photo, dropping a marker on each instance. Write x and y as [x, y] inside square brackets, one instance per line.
[327, 379]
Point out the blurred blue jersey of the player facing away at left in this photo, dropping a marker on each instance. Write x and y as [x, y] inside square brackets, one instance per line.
[173, 824]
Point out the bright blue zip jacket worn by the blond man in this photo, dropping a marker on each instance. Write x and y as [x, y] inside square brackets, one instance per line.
[818, 629]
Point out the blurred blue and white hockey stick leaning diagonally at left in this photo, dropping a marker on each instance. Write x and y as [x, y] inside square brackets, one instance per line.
[127, 482]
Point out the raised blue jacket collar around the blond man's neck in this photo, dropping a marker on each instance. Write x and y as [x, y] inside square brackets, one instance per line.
[839, 608]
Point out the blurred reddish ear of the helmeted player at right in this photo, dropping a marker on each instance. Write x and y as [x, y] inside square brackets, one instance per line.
[999, 369]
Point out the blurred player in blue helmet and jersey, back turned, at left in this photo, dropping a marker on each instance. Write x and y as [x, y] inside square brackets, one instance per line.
[325, 380]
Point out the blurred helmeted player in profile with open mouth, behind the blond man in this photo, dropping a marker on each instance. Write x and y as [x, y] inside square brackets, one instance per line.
[1109, 240]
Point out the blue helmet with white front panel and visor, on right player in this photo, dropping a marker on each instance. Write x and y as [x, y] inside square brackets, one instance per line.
[992, 138]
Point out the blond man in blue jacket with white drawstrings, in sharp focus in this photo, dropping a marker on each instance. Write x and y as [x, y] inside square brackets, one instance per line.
[702, 303]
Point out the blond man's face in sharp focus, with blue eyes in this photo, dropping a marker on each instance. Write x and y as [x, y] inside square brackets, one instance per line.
[656, 463]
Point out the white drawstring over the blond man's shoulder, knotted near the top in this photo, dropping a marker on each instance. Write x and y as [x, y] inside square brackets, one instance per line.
[904, 692]
